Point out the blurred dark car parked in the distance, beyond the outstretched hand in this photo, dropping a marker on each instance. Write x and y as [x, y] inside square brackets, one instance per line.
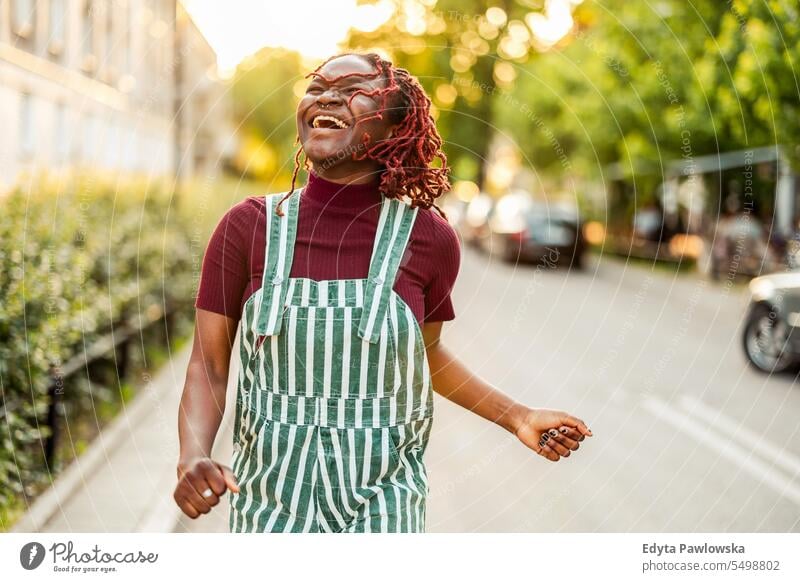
[528, 231]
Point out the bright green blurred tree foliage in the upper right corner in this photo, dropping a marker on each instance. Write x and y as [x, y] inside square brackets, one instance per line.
[641, 84]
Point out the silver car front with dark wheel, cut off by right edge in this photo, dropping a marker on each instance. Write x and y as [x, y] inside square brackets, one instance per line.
[770, 340]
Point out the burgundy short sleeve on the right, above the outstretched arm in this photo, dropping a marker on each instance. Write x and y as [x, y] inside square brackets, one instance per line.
[445, 260]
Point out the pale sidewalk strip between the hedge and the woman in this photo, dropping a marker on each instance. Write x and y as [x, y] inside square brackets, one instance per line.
[125, 480]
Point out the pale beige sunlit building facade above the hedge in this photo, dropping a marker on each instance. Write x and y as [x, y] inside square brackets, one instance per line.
[93, 84]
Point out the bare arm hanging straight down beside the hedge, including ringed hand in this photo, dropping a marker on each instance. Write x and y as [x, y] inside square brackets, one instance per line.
[200, 414]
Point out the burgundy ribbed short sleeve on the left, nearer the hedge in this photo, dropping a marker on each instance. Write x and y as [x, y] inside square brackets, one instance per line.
[225, 271]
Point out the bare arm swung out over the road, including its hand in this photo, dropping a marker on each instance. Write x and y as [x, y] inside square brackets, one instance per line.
[551, 433]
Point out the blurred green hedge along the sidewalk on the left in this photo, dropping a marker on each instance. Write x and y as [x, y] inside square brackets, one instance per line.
[76, 260]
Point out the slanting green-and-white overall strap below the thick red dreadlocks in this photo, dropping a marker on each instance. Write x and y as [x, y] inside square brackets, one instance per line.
[394, 230]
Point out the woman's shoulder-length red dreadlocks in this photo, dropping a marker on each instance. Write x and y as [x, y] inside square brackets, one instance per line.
[414, 145]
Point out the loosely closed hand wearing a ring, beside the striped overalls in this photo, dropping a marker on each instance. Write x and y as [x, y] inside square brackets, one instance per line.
[198, 476]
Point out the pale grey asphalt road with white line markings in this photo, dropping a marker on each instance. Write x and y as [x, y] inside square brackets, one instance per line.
[687, 437]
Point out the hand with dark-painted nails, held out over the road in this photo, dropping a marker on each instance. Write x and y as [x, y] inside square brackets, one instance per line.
[551, 433]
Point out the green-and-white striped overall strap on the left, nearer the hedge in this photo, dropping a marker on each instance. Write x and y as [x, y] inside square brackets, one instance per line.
[279, 252]
